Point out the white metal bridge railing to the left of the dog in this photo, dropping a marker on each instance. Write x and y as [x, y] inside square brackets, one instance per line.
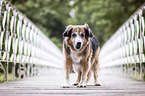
[23, 46]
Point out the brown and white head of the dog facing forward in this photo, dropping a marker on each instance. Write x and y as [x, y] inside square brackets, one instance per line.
[77, 35]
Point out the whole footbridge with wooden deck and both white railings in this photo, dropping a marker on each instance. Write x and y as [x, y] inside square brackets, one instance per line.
[30, 64]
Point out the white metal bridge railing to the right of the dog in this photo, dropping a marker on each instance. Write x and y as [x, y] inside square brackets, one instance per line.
[126, 47]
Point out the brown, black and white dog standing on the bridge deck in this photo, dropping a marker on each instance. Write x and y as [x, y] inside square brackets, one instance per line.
[81, 53]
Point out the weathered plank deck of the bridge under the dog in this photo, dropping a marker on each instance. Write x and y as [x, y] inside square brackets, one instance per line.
[50, 85]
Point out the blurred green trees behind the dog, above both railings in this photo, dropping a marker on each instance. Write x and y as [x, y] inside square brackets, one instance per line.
[52, 16]
